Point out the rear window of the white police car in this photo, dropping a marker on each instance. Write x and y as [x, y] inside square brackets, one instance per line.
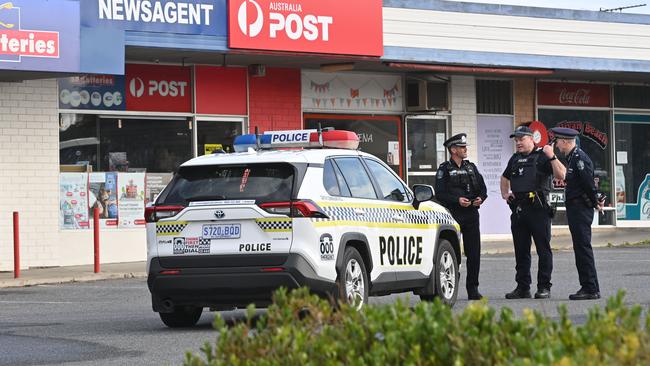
[267, 182]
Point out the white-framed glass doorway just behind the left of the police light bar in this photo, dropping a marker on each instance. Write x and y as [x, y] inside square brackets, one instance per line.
[213, 134]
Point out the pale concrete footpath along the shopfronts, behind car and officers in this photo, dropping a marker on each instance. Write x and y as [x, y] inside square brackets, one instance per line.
[561, 240]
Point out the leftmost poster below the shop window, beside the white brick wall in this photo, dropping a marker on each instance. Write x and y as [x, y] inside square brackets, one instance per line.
[73, 201]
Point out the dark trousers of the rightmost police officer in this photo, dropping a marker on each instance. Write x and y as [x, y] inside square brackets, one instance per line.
[580, 218]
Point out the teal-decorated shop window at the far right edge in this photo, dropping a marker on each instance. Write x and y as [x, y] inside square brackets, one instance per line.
[632, 166]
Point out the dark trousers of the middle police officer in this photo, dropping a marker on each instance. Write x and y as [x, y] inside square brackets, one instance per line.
[527, 222]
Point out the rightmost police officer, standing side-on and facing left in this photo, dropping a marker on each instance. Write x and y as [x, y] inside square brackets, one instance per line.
[581, 200]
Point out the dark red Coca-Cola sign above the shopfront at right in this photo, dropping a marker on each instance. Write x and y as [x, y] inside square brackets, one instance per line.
[573, 94]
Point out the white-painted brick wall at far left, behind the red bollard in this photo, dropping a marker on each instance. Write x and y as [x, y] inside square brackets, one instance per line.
[29, 171]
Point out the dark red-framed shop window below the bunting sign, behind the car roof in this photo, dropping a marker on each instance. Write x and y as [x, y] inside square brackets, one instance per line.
[378, 136]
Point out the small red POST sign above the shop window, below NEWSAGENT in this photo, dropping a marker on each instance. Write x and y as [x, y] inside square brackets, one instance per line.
[158, 88]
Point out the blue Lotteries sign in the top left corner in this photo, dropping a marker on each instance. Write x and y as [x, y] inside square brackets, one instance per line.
[39, 35]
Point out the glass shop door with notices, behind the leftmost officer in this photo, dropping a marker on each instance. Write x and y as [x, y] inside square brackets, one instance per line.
[425, 136]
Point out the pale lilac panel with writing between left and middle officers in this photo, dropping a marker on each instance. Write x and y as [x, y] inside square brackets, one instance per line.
[494, 150]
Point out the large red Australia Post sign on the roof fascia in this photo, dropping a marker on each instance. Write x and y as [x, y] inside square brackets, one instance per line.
[347, 27]
